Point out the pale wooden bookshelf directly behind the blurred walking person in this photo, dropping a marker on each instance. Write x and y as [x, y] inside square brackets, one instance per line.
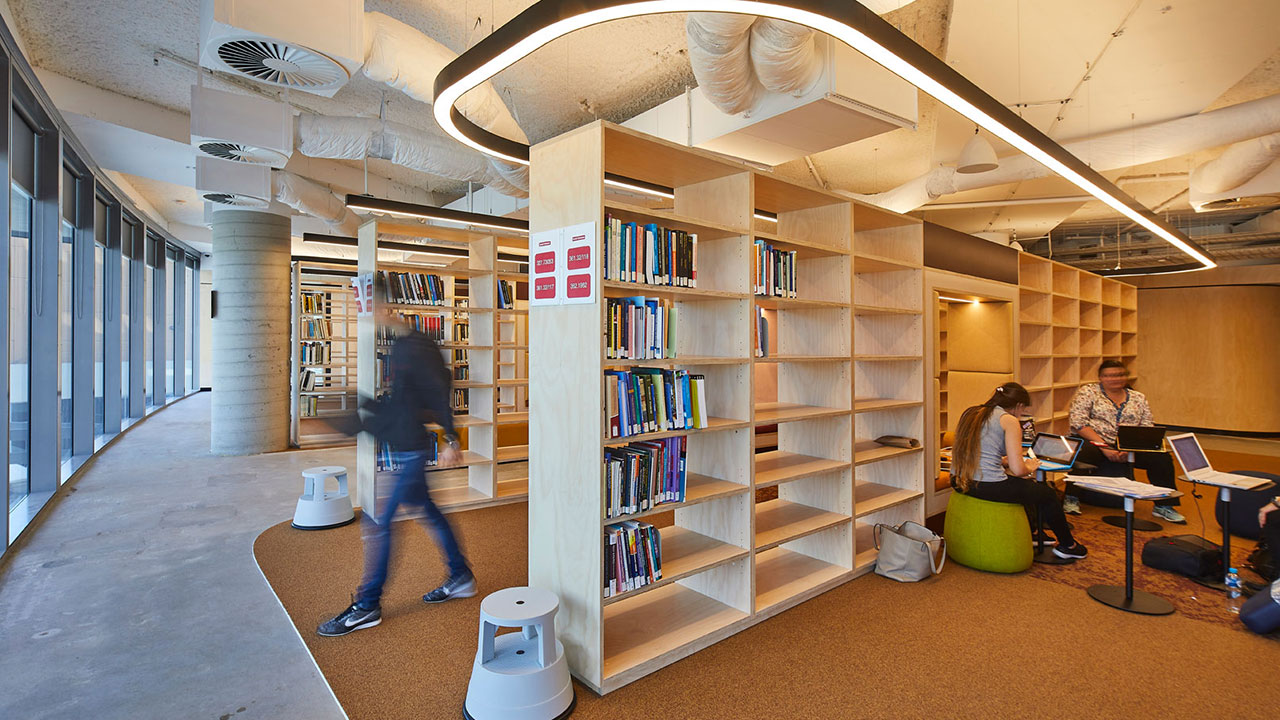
[483, 350]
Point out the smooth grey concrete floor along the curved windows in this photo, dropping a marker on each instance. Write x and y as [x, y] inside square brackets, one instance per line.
[138, 595]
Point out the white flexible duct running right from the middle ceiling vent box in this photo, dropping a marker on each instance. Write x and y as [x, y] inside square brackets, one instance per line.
[356, 139]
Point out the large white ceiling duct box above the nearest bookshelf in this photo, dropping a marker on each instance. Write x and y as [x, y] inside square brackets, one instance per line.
[851, 99]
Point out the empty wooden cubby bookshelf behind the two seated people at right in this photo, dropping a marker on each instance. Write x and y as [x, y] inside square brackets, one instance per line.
[1069, 322]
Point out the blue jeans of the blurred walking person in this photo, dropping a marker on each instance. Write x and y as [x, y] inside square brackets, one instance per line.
[410, 490]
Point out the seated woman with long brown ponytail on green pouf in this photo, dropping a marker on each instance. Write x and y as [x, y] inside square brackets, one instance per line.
[988, 439]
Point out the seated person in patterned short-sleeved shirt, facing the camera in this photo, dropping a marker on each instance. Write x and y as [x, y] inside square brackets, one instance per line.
[1098, 411]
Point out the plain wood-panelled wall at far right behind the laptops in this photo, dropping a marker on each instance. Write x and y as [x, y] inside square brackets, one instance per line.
[1212, 357]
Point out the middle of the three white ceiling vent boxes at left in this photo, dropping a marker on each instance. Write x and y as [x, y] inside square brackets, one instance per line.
[241, 129]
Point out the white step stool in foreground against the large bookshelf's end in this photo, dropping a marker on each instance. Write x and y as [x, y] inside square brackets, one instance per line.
[520, 676]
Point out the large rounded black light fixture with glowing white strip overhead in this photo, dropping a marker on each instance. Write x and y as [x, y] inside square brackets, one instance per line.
[847, 21]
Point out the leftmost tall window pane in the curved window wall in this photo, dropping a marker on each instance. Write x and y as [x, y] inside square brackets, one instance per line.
[21, 209]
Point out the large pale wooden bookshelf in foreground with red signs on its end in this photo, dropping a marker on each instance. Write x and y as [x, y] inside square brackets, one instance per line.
[844, 367]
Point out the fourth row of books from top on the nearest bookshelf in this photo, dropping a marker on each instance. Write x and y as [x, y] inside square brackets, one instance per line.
[644, 475]
